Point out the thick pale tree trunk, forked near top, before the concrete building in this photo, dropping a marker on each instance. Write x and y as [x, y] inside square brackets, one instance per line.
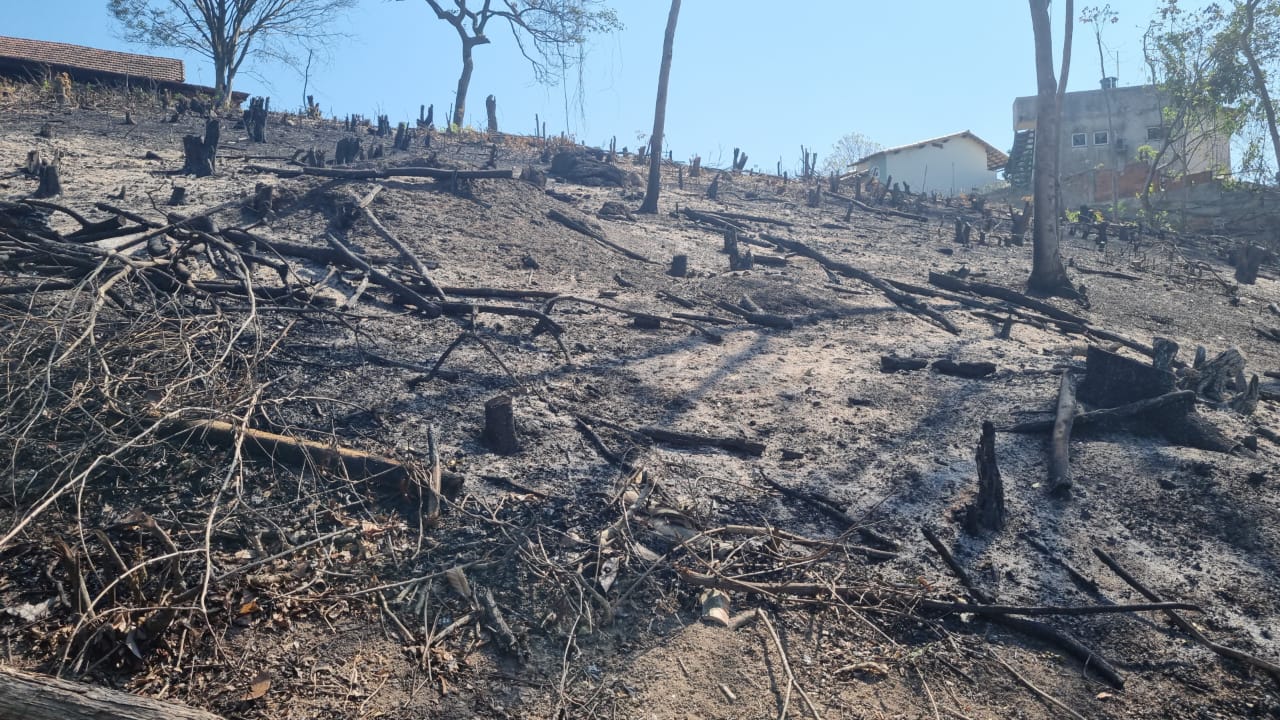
[1049, 275]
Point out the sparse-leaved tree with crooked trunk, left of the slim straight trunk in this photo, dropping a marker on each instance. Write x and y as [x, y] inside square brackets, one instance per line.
[551, 34]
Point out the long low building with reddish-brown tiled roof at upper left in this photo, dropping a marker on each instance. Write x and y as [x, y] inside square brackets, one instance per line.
[29, 60]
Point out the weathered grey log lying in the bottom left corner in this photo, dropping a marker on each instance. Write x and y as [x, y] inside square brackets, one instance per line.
[39, 698]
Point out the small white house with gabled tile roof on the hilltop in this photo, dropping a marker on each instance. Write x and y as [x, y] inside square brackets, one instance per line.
[952, 165]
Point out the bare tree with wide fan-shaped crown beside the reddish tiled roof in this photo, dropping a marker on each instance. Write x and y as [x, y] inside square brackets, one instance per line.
[228, 31]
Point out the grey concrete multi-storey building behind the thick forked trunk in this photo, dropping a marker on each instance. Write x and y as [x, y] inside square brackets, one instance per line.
[1100, 140]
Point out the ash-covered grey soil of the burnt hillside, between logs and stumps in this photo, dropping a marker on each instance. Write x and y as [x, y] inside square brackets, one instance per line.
[358, 607]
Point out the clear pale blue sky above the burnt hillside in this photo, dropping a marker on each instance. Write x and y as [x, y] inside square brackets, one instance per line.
[762, 76]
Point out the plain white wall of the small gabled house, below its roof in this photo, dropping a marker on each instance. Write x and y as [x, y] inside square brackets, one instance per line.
[954, 167]
